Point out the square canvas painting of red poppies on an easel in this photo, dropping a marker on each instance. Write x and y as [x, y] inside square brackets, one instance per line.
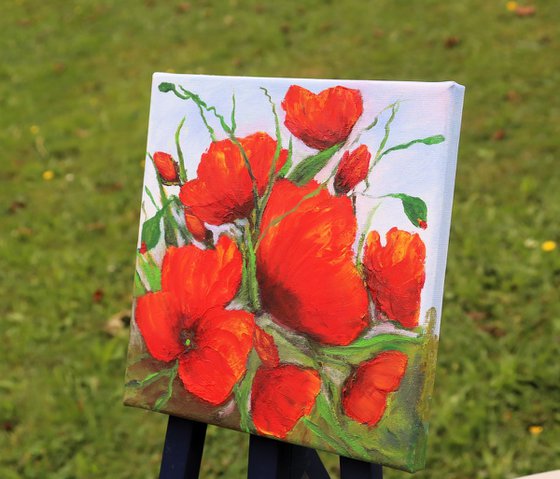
[291, 257]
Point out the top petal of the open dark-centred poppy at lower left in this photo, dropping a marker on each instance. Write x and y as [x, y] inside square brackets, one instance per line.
[202, 279]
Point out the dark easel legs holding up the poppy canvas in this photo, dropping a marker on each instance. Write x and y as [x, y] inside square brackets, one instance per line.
[268, 459]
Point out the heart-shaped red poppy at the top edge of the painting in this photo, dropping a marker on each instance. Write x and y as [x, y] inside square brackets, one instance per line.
[325, 119]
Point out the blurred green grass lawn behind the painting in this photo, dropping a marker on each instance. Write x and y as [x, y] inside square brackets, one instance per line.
[74, 97]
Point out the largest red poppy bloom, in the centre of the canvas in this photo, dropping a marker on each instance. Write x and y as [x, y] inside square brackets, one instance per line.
[305, 264]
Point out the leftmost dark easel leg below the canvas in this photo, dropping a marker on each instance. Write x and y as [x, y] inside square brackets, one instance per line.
[182, 451]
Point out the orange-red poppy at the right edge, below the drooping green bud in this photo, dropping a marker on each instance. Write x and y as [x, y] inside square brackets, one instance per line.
[395, 274]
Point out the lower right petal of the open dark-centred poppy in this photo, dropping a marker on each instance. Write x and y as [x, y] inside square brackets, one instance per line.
[221, 344]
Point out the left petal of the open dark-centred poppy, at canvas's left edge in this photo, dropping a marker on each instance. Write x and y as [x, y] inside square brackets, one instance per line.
[159, 320]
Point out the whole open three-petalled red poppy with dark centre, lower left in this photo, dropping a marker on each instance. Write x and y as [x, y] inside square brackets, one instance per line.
[186, 320]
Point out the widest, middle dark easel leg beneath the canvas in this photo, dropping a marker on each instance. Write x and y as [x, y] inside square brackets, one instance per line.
[270, 459]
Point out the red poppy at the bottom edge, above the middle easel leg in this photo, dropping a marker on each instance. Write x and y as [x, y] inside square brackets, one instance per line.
[281, 396]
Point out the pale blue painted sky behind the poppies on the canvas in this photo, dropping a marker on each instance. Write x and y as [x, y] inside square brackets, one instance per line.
[426, 109]
